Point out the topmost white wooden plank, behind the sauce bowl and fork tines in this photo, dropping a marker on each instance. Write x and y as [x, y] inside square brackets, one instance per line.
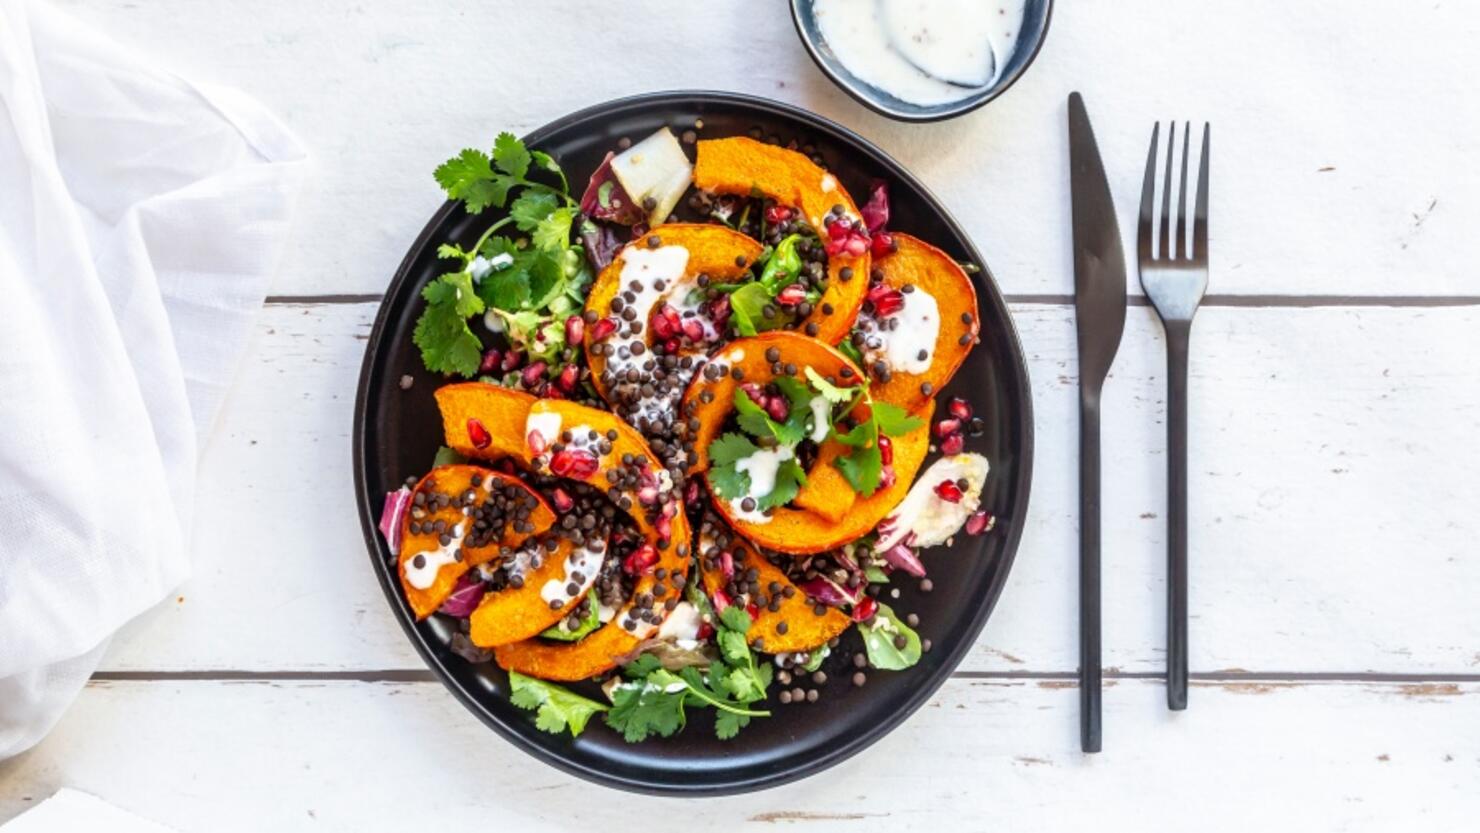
[1313, 135]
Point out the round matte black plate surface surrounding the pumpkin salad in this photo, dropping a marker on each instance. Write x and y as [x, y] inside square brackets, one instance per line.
[397, 433]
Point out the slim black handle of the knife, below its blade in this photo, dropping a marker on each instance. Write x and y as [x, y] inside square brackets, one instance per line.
[1090, 573]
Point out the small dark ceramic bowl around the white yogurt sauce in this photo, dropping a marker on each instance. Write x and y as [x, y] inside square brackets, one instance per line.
[1031, 39]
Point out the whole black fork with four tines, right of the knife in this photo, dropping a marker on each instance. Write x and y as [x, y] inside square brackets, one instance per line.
[1176, 277]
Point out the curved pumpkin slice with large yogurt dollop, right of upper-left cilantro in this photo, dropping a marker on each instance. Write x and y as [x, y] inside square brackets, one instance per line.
[714, 251]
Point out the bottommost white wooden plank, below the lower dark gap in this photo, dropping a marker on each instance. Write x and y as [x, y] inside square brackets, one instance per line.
[303, 757]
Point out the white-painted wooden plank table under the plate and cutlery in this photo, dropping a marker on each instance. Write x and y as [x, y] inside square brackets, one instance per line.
[1336, 418]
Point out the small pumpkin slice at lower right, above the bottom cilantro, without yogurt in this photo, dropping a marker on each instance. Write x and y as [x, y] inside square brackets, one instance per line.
[804, 630]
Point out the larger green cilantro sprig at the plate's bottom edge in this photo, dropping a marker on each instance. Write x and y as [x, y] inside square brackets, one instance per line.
[655, 701]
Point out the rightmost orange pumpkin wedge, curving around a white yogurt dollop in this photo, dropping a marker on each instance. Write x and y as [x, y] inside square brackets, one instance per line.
[930, 272]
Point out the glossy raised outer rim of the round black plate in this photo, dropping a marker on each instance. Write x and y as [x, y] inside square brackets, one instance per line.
[1020, 489]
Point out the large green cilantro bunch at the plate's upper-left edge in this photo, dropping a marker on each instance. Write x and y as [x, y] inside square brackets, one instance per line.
[525, 283]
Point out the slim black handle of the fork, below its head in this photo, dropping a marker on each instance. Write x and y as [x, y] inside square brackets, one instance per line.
[1179, 335]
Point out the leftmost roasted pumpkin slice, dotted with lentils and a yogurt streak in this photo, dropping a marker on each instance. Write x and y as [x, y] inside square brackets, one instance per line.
[440, 544]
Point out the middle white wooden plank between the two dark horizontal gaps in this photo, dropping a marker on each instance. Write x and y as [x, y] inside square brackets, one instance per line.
[1331, 504]
